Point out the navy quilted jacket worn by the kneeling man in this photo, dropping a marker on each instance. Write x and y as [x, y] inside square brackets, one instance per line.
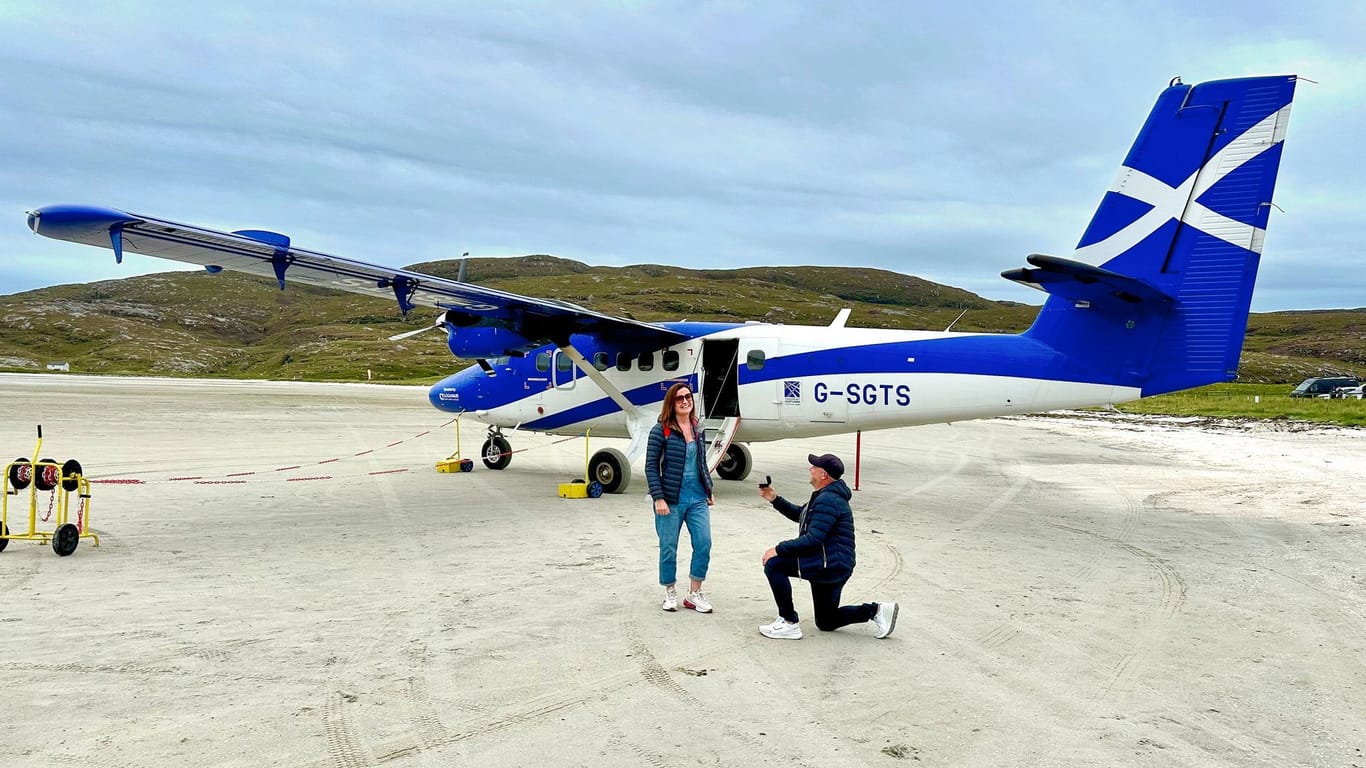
[824, 546]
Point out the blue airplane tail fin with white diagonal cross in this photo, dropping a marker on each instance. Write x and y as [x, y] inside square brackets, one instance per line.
[1159, 289]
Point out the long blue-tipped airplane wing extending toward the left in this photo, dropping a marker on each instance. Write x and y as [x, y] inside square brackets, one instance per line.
[271, 255]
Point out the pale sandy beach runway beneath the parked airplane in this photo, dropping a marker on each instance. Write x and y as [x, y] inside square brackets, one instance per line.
[293, 584]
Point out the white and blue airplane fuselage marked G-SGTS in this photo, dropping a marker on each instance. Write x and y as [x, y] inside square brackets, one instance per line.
[785, 382]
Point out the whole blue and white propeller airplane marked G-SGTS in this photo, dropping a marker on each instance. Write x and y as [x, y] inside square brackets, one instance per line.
[1154, 300]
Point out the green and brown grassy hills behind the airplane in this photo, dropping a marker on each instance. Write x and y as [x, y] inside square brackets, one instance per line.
[236, 326]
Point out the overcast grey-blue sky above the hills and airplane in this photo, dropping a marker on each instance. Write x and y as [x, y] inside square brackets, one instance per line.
[939, 140]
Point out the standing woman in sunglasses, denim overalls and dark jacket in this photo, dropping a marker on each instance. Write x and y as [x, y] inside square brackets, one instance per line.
[675, 465]
